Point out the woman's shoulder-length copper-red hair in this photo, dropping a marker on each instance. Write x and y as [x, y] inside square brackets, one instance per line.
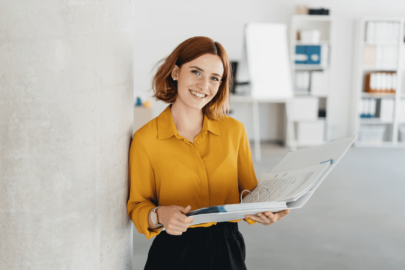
[165, 87]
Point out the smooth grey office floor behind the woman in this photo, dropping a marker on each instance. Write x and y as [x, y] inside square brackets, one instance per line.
[355, 220]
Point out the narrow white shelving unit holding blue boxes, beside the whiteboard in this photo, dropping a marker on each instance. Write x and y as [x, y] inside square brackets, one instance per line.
[325, 26]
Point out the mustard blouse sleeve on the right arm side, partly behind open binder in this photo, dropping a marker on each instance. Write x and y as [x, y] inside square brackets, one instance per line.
[246, 173]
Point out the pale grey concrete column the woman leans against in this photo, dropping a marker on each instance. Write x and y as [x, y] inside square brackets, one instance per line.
[66, 114]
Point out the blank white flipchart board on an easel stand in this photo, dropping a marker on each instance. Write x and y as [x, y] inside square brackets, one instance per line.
[267, 60]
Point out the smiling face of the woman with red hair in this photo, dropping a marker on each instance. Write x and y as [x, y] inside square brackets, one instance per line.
[198, 81]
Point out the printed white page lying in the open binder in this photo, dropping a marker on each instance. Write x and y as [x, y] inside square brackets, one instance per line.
[286, 186]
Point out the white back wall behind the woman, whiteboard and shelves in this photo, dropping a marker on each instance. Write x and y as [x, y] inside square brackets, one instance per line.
[162, 25]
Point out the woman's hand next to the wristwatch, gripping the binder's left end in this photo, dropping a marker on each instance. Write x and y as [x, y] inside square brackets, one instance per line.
[174, 219]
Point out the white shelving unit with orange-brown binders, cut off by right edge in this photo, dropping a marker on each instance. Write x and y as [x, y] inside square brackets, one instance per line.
[391, 135]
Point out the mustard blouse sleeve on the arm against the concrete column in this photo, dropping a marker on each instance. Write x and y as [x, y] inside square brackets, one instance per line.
[142, 186]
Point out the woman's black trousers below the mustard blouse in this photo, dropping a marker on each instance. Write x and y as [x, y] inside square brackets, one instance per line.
[220, 246]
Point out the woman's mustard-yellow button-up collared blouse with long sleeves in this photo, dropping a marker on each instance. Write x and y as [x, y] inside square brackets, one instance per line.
[167, 169]
